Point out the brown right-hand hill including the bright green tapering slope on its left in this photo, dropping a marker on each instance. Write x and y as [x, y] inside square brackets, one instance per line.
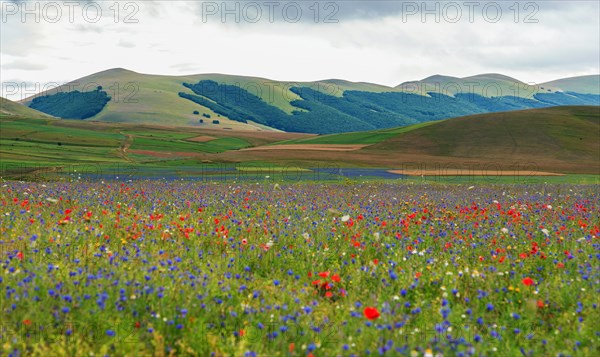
[558, 129]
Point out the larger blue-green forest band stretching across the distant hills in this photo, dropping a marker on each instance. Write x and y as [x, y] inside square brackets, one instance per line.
[320, 113]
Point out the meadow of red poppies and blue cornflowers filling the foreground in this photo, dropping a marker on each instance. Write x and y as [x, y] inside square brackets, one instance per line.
[156, 268]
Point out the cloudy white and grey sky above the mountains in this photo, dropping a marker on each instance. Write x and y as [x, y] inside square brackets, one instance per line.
[385, 42]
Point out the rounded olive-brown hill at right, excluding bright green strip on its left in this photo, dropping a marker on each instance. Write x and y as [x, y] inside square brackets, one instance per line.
[538, 135]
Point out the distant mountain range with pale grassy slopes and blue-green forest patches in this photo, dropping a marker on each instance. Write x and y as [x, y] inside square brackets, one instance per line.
[331, 106]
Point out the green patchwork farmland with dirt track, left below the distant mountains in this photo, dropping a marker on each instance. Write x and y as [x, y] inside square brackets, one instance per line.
[35, 141]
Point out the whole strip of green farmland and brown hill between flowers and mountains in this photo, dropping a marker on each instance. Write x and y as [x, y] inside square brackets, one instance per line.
[556, 140]
